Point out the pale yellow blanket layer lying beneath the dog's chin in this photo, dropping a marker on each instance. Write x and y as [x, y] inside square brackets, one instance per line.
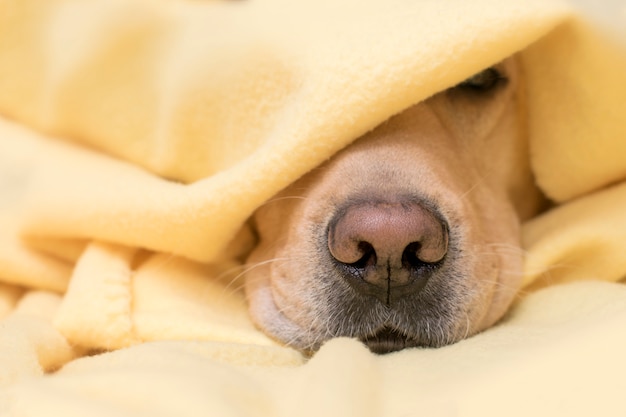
[530, 364]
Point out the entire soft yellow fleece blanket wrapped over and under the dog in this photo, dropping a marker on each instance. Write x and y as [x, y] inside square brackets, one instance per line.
[137, 137]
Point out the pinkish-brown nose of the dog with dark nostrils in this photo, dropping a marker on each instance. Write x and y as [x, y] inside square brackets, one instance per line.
[387, 249]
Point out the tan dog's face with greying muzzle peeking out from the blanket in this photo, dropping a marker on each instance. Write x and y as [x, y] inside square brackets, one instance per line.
[409, 236]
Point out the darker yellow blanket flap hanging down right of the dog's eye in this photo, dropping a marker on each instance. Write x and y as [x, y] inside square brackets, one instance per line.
[564, 103]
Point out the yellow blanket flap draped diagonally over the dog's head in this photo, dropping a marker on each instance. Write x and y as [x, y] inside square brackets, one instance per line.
[274, 96]
